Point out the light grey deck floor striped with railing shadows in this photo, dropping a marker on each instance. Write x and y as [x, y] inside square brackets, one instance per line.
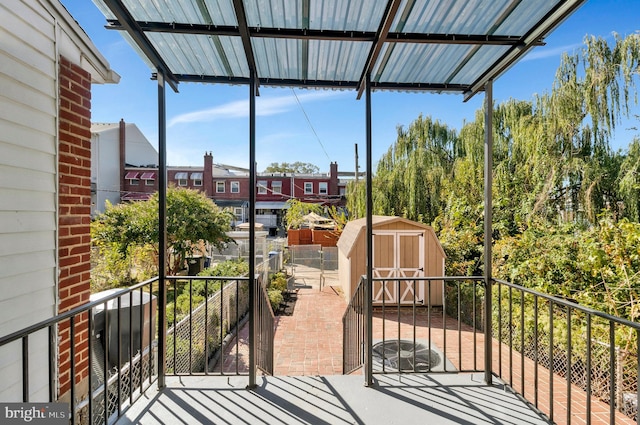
[408, 399]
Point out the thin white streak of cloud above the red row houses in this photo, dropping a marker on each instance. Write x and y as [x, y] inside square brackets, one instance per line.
[265, 106]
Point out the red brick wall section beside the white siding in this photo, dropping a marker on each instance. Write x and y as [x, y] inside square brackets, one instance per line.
[74, 209]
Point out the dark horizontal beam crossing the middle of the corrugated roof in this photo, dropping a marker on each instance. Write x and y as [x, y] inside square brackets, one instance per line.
[330, 35]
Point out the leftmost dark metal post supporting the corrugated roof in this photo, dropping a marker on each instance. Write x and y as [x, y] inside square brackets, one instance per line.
[162, 231]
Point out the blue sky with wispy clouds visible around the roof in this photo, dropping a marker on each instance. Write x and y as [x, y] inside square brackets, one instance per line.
[319, 126]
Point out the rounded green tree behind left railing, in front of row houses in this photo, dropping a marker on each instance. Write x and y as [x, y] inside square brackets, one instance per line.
[191, 217]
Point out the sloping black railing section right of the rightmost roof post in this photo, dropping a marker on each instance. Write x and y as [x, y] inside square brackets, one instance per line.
[554, 349]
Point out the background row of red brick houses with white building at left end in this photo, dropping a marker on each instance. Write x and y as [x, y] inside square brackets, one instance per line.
[124, 168]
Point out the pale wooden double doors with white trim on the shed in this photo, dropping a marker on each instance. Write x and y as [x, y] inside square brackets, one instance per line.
[396, 255]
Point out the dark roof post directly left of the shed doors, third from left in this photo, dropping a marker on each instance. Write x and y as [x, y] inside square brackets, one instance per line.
[368, 364]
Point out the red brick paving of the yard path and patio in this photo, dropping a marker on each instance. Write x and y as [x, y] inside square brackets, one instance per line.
[309, 342]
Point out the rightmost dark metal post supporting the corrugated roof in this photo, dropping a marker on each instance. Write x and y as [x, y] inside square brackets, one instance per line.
[488, 182]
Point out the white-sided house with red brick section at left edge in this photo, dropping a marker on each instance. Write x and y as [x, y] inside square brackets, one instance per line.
[48, 67]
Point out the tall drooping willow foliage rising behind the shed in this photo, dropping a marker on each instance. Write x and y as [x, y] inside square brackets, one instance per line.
[552, 159]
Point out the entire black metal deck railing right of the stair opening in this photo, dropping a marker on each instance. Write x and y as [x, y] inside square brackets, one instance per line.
[571, 363]
